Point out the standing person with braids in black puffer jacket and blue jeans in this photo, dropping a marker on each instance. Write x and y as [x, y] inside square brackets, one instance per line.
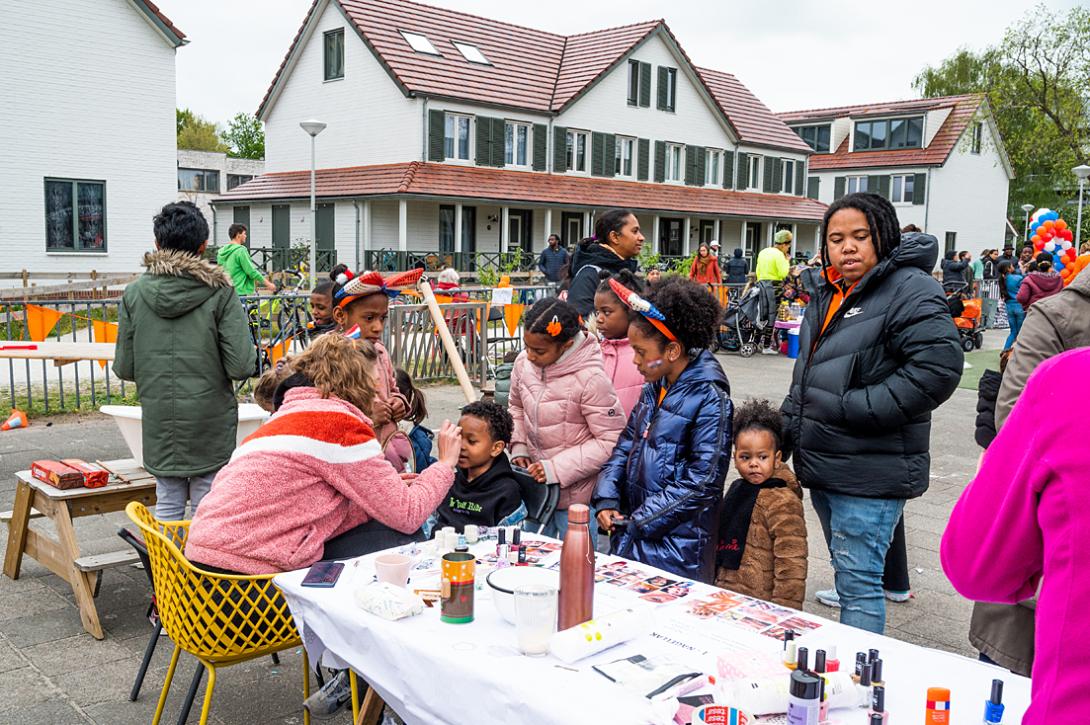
[879, 353]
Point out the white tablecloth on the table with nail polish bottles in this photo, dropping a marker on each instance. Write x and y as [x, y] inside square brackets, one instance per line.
[431, 672]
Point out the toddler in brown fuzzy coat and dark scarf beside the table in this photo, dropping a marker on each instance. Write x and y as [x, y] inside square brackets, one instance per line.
[762, 550]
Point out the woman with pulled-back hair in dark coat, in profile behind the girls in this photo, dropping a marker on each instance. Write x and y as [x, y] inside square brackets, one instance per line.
[616, 245]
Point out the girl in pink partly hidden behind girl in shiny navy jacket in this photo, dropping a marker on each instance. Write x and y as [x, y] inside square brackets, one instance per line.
[612, 320]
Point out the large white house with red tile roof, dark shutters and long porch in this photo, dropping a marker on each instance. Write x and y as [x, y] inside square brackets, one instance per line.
[451, 134]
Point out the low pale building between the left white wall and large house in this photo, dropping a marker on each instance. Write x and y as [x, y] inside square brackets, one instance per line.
[202, 176]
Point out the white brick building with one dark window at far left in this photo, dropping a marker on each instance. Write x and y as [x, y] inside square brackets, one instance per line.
[89, 135]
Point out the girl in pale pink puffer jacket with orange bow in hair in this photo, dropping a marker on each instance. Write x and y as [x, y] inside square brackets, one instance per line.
[567, 417]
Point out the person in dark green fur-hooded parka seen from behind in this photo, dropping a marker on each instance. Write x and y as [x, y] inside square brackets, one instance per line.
[183, 337]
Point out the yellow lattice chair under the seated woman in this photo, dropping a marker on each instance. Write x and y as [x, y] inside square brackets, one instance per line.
[221, 620]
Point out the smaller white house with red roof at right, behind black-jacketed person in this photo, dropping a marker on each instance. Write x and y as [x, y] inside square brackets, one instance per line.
[940, 161]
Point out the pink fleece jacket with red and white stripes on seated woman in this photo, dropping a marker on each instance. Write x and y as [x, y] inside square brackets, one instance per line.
[312, 473]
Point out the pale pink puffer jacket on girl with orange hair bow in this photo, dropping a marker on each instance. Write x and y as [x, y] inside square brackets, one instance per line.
[566, 416]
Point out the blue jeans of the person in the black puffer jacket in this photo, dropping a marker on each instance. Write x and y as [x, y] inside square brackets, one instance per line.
[858, 533]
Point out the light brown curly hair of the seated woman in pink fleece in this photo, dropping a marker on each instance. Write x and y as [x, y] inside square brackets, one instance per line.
[342, 368]
